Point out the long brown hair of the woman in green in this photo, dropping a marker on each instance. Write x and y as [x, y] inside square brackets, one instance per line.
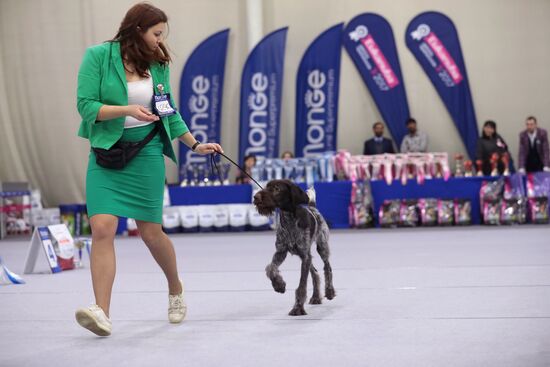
[133, 48]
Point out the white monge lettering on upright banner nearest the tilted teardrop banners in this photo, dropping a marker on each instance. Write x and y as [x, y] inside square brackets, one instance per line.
[315, 101]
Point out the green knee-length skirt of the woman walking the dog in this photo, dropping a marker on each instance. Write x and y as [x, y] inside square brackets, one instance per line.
[136, 191]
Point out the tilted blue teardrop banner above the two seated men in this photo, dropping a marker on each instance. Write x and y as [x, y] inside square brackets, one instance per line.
[368, 38]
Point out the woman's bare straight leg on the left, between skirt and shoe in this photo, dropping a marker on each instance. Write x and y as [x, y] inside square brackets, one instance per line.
[102, 259]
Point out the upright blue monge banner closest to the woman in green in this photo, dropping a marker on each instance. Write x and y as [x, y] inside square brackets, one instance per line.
[201, 90]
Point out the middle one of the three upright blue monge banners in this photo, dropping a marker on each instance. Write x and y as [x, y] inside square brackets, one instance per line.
[261, 90]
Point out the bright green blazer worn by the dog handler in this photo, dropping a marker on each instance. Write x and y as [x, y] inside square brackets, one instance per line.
[101, 80]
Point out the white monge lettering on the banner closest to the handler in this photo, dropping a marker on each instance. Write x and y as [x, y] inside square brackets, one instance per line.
[199, 106]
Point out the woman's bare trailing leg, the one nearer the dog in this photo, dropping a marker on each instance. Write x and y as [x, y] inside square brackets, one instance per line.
[163, 251]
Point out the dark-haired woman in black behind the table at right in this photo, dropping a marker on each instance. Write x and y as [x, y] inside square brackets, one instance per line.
[490, 142]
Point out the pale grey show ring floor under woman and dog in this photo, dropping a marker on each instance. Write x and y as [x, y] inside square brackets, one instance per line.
[473, 296]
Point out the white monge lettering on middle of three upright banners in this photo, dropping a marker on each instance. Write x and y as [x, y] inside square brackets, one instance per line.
[258, 103]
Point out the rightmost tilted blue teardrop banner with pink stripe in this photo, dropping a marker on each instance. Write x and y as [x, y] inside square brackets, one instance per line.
[433, 40]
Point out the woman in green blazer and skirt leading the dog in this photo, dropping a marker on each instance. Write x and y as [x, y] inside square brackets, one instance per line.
[117, 82]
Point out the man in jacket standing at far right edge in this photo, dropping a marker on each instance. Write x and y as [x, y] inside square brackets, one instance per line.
[533, 148]
